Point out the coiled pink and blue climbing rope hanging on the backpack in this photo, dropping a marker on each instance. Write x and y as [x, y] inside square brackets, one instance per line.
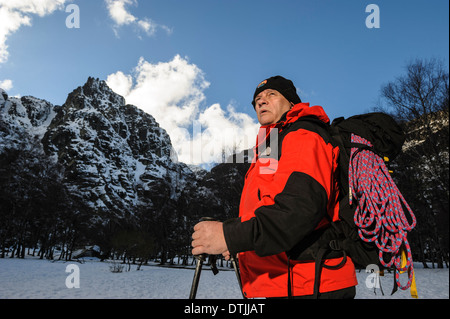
[380, 214]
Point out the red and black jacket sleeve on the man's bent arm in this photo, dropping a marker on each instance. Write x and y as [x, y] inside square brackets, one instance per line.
[298, 194]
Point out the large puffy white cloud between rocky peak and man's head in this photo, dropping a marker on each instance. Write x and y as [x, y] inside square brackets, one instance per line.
[173, 93]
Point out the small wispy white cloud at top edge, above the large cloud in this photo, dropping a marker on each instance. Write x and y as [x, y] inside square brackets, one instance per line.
[122, 17]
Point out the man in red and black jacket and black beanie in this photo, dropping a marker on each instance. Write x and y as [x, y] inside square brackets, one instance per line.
[290, 192]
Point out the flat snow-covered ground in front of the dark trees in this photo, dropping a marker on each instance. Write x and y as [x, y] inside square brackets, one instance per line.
[42, 279]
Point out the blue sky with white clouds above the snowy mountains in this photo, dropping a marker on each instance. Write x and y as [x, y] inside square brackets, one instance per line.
[200, 60]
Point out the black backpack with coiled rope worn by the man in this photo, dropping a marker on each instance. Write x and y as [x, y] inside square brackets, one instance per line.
[362, 140]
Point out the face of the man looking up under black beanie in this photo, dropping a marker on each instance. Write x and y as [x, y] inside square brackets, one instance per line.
[270, 105]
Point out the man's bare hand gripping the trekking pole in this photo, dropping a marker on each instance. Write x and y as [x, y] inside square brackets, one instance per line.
[208, 238]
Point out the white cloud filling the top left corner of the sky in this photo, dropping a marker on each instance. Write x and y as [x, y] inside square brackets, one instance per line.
[17, 13]
